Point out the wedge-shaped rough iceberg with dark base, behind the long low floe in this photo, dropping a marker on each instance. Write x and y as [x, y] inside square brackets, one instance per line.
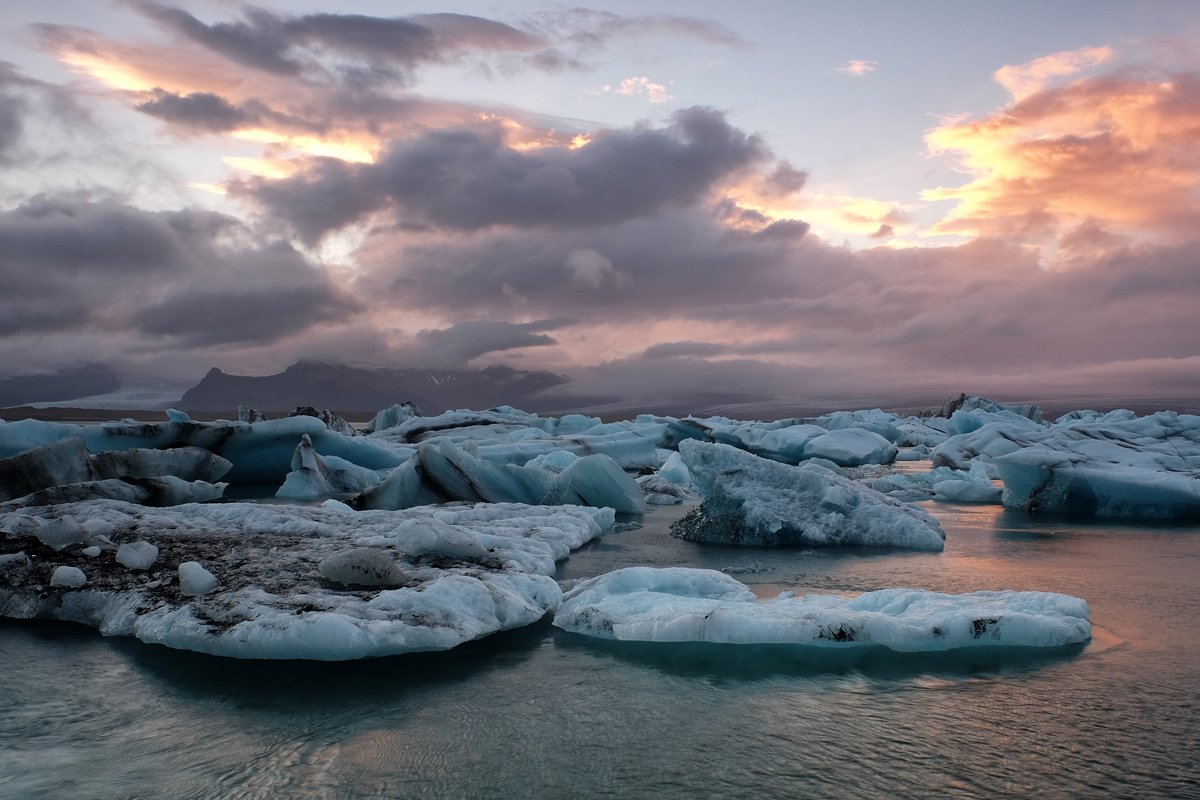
[751, 501]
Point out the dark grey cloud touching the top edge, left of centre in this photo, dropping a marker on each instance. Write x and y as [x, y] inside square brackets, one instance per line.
[356, 50]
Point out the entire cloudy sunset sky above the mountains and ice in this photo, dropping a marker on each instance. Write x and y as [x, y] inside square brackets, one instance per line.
[653, 199]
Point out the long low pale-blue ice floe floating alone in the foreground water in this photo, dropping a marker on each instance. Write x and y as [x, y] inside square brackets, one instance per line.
[687, 605]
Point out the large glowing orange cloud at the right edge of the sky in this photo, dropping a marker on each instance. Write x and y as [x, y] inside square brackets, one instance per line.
[1115, 153]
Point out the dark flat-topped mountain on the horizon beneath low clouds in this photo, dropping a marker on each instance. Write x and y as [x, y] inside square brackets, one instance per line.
[357, 389]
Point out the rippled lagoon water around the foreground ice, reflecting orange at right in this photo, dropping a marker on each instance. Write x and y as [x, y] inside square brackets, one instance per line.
[545, 714]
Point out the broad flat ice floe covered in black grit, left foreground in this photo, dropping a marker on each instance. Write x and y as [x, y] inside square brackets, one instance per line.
[466, 573]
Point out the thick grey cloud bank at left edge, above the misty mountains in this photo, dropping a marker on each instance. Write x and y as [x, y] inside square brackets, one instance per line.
[193, 276]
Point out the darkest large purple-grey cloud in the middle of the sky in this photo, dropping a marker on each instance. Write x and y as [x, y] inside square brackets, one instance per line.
[467, 179]
